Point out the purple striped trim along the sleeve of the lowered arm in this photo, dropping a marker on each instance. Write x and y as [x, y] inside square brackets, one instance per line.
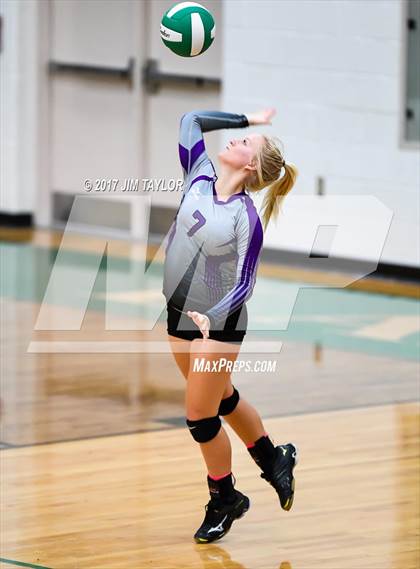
[239, 293]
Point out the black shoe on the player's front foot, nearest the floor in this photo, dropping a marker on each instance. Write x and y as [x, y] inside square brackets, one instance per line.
[219, 518]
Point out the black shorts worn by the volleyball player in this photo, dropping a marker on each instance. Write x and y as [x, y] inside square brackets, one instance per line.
[233, 331]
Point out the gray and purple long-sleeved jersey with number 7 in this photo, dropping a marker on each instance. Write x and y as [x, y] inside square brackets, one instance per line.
[214, 246]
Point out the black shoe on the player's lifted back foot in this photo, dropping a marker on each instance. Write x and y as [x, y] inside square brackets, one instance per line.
[280, 475]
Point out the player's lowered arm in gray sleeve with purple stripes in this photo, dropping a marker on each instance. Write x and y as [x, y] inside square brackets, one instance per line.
[249, 244]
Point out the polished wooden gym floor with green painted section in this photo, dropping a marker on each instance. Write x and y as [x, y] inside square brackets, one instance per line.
[98, 471]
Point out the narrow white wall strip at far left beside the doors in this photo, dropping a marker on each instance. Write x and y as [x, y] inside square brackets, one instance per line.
[19, 101]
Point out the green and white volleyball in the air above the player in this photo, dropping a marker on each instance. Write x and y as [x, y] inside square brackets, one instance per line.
[188, 29]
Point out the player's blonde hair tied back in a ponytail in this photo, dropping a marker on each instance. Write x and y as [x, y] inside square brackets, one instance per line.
[269, 163]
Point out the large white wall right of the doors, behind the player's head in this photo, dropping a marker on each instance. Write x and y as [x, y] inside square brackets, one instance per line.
[334, 71]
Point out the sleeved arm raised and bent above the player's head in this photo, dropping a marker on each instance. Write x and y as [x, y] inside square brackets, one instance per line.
[192, 151]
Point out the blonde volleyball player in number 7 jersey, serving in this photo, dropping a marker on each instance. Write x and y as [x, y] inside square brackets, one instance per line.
[211, 262]
